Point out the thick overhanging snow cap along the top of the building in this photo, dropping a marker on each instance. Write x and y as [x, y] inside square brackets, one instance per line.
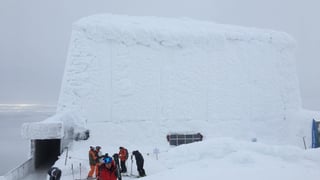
[131, 30]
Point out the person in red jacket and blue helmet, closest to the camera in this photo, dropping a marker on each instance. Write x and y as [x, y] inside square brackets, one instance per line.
[107, 170]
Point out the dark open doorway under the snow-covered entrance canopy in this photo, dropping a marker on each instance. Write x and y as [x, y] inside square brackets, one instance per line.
[46, 152]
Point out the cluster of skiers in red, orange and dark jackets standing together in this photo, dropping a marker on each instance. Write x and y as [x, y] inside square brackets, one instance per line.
[105, 167]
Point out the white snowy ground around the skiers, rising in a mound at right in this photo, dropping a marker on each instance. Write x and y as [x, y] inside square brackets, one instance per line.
[220, 158]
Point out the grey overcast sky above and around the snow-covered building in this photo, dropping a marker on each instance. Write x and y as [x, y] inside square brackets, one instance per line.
[35, 36]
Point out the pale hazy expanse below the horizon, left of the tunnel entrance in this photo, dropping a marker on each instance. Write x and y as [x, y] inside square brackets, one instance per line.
[14, 149]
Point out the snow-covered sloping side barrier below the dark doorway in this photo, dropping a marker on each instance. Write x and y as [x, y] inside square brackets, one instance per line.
[20, 171]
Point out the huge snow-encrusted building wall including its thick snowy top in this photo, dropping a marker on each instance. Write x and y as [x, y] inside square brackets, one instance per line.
[122, 68]
